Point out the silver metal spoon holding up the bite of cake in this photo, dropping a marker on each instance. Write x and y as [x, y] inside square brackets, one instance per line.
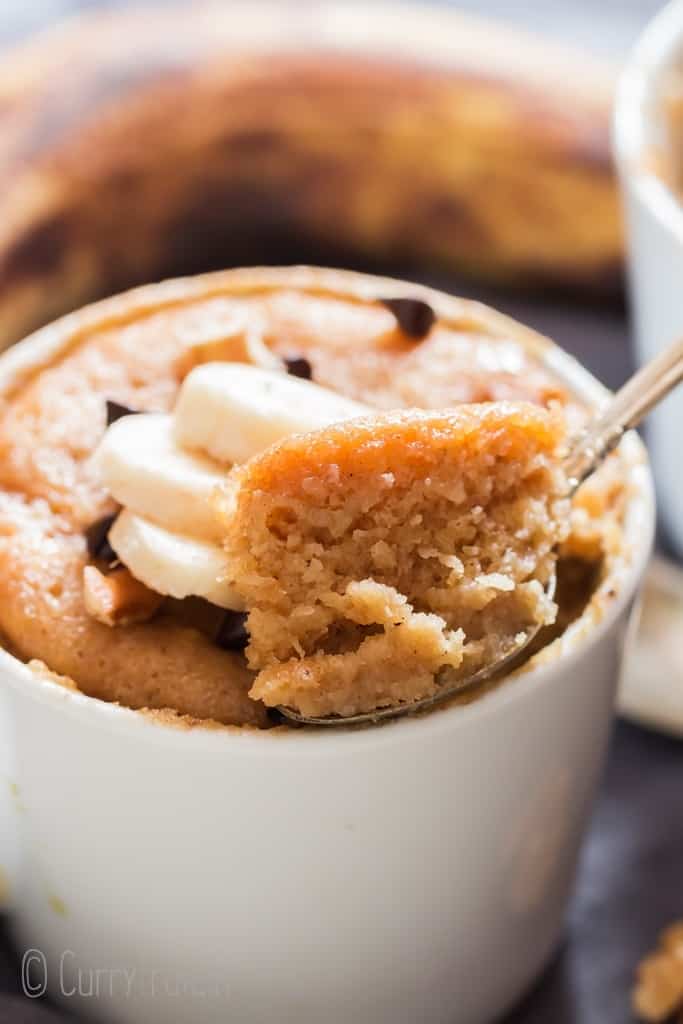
[603, 435]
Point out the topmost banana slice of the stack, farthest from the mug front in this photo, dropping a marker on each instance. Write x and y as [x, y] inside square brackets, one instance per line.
[234, 411]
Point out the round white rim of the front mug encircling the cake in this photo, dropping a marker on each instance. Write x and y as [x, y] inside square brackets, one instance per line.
[586, 633]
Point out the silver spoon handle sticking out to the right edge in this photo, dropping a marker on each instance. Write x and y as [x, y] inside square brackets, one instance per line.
[645, 391]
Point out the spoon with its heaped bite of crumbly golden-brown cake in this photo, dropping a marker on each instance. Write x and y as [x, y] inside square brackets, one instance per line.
[389, 563]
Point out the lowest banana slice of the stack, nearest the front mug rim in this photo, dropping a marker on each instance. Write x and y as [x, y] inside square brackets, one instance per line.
[172, 565]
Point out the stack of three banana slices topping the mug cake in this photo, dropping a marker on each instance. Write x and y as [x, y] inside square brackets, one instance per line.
[164, 470]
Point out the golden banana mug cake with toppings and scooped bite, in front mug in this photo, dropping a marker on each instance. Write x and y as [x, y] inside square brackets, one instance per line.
[293, 488]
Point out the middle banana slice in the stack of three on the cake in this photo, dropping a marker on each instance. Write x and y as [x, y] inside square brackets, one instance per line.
[143, 468]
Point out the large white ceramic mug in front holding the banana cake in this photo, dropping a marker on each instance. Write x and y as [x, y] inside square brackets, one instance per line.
[415, 872]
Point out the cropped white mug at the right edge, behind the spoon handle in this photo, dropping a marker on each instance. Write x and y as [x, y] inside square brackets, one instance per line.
[655, 223]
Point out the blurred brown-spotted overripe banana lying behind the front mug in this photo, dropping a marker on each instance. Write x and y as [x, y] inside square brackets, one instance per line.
[403, 135]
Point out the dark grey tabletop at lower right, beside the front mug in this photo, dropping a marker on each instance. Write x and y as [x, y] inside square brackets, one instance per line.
[629, 886]
